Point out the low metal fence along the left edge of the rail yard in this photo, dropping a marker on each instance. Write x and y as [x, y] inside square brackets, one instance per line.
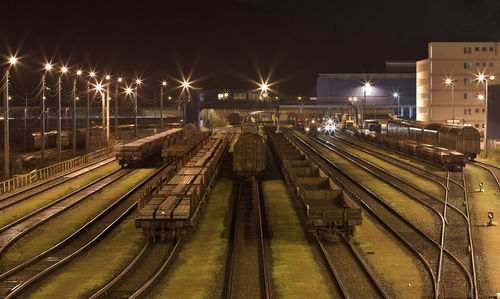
[40, 174]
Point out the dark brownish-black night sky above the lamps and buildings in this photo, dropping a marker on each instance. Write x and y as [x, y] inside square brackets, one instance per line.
[225, 44]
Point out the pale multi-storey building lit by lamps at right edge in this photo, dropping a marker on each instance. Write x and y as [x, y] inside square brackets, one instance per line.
[448, 88]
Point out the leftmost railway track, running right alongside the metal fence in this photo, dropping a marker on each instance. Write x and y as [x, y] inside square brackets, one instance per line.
[9, 199]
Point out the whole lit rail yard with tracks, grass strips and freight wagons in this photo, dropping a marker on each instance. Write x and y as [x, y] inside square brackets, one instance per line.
[257, 210]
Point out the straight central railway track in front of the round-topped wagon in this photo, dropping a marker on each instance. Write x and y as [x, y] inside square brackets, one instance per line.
[247, 274]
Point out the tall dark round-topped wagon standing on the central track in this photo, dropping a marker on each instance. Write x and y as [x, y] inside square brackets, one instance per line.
[249, 156]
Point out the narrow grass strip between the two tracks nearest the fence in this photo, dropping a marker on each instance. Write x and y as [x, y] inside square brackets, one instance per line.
[39, 200]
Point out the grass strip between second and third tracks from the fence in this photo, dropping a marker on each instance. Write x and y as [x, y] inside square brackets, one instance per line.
[58, 228]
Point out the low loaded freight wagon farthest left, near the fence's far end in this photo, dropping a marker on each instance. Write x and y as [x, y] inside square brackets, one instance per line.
[142, 150]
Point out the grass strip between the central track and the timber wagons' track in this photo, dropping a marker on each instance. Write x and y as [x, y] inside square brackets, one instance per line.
[197, 271]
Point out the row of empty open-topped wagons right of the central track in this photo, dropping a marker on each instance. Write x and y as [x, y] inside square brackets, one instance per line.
[327, 208]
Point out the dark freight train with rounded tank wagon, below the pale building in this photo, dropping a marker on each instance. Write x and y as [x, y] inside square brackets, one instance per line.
[446, 145]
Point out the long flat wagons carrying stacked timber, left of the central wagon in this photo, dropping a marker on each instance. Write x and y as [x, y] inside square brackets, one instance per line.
[175, 209]
